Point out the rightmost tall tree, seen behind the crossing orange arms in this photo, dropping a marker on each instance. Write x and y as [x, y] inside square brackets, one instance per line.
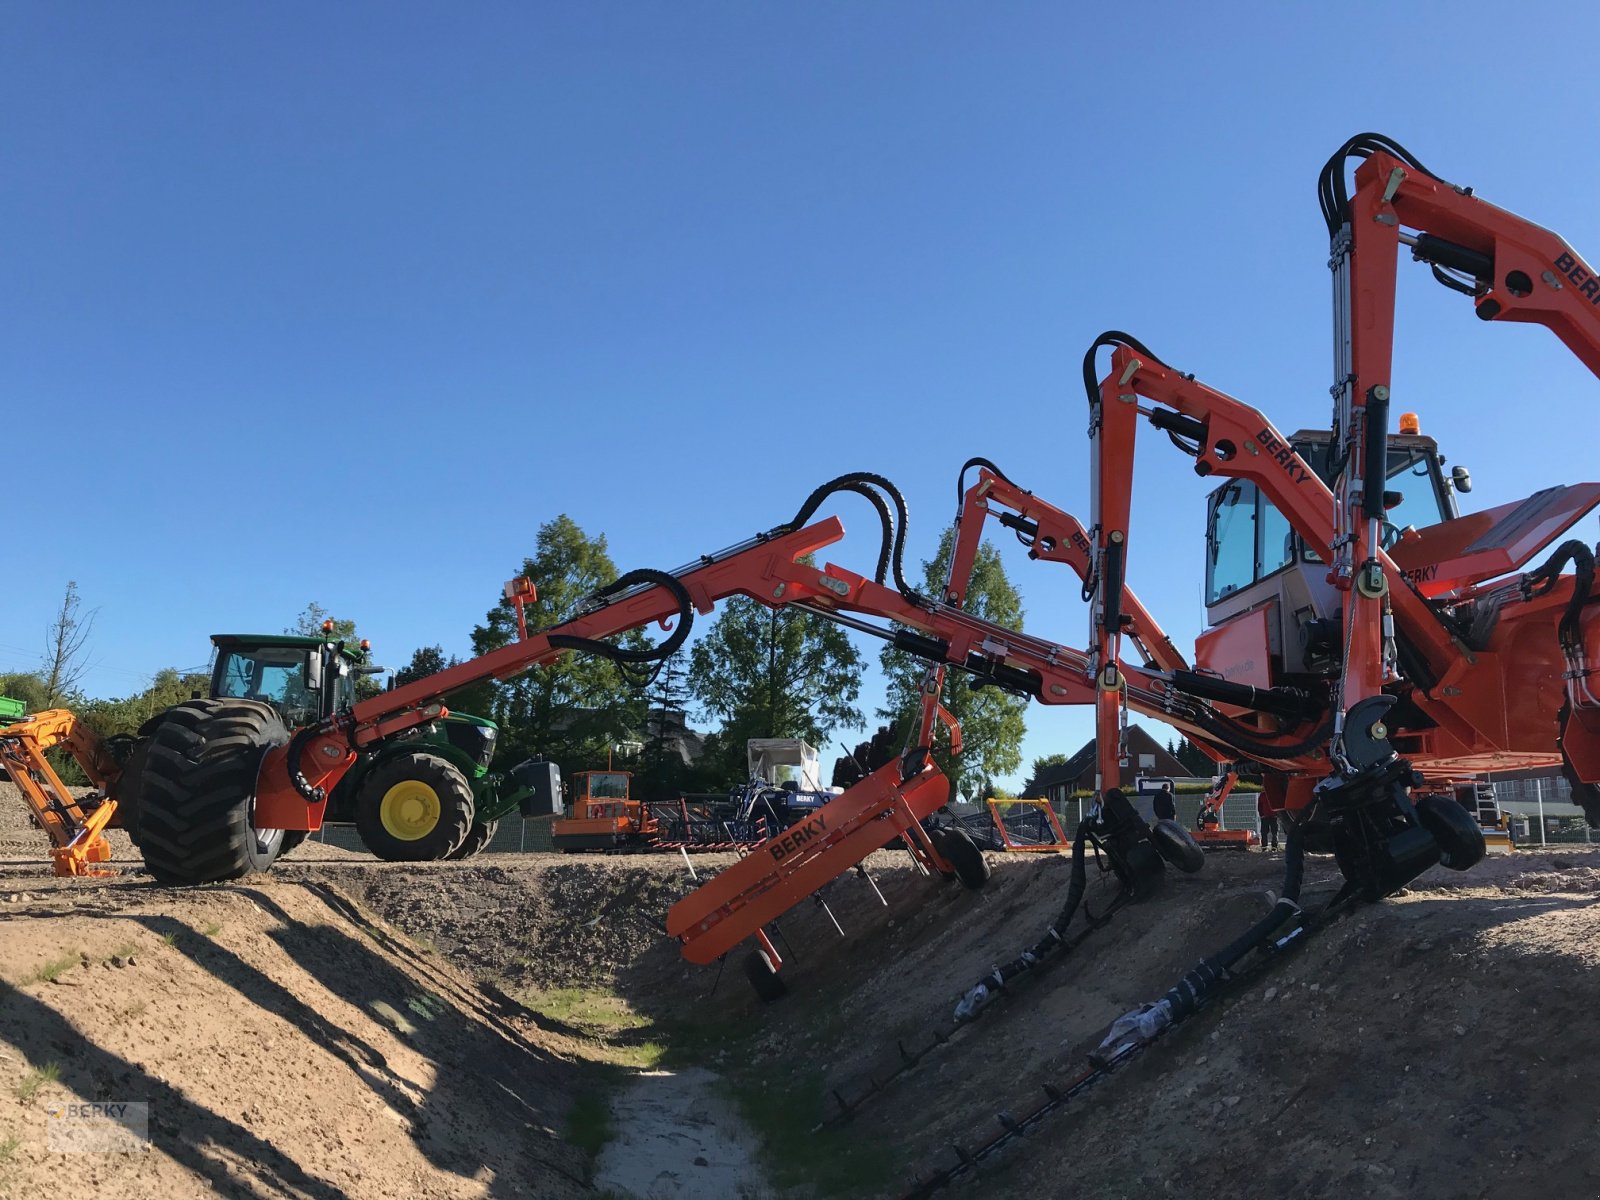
[991, 721]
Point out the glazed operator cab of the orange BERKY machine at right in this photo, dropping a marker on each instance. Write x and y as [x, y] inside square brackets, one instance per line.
[1271, 609]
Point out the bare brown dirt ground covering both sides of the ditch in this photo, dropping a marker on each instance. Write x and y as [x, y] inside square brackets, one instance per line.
[1430, 1047]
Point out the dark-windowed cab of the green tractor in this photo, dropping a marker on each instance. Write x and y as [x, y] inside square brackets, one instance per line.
[306, 679]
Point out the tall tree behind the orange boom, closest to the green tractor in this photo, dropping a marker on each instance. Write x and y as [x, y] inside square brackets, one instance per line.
[578, 708]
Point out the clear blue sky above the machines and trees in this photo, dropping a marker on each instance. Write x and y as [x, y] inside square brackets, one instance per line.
[340, 303]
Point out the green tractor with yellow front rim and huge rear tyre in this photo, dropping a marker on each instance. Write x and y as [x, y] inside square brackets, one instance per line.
[423, 796]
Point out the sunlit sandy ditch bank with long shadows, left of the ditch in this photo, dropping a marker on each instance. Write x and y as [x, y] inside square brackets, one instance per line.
[287, 1046]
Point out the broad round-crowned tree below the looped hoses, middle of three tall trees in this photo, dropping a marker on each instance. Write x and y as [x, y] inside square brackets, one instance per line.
[774, 673]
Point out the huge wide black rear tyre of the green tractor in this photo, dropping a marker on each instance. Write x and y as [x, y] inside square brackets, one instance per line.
[198, 793]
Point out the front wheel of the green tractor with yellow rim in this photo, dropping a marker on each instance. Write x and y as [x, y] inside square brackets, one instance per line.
[414, 809]
